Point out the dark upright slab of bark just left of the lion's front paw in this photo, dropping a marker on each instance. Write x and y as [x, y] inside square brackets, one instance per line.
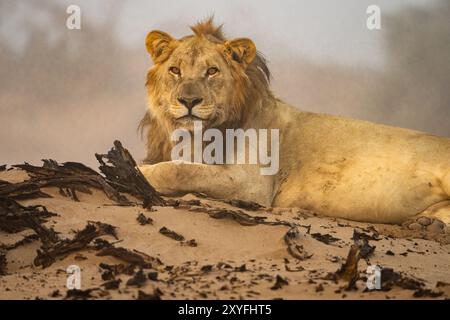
[122, 172]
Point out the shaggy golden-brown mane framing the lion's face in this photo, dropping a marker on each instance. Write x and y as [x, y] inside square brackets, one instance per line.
[252, 86]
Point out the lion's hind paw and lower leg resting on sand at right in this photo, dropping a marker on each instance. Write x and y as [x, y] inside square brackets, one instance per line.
[435, 219]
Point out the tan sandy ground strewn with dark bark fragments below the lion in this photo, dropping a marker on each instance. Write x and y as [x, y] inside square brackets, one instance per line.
[229, 261]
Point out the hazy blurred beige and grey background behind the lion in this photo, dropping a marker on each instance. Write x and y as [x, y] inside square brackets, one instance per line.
[66, 94]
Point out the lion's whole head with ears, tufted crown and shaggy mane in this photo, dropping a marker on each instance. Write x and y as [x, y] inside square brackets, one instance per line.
[201, 77]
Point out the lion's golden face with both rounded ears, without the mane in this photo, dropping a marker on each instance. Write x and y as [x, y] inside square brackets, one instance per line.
[197, 78]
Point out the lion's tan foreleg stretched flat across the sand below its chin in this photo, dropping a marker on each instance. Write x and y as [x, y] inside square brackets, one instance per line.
[219, 181]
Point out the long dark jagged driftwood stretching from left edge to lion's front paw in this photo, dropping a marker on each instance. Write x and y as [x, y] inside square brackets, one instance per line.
[118, 166]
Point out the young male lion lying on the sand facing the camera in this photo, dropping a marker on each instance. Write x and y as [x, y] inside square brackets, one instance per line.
[331, 165]
